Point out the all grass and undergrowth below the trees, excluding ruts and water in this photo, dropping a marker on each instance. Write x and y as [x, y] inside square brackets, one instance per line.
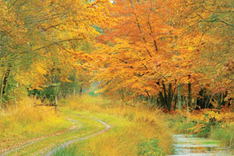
[135, 129]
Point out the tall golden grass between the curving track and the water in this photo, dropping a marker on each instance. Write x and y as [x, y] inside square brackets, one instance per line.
[131, 126]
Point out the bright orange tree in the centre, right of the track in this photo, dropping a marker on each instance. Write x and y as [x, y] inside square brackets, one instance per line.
[140, 54]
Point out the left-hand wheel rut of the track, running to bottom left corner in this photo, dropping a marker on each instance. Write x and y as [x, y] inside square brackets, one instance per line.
[35, 140]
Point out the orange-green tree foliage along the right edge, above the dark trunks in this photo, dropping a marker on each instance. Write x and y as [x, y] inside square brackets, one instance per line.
[208, 25]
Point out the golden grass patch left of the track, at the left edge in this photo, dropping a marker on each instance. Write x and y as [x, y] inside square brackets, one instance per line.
[26, 122]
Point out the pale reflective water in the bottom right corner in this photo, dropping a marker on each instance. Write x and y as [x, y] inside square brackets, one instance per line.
[194, 146]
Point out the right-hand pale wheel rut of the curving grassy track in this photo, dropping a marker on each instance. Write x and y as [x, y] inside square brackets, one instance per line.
[79, 139]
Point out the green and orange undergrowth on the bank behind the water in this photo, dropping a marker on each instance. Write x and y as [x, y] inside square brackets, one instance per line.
[206, 123]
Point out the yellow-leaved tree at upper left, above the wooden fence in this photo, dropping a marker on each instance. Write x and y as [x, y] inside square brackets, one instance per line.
[53, 33]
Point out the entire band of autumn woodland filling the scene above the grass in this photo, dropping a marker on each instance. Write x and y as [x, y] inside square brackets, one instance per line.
[173, 54]
